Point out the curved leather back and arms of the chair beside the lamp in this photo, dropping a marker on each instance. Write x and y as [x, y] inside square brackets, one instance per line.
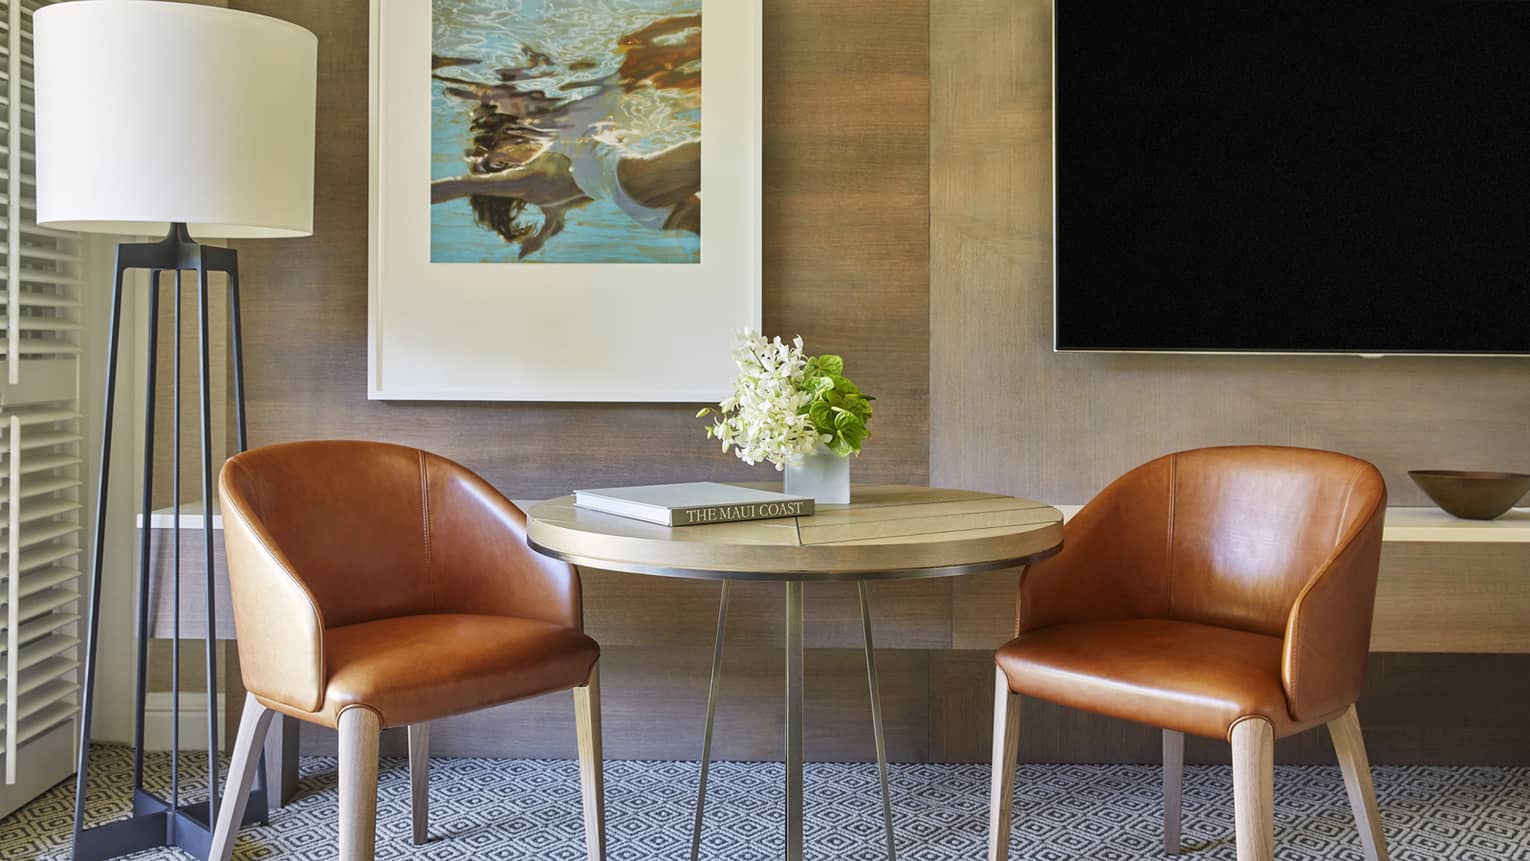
[337, 533]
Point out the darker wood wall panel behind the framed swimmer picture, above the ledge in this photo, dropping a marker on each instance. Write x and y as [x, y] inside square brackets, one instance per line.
[847, 189]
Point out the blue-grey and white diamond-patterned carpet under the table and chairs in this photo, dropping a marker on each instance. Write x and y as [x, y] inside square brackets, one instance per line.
[530, 811]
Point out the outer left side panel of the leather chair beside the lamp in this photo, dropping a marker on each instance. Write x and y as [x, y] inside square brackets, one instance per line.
[279, 626]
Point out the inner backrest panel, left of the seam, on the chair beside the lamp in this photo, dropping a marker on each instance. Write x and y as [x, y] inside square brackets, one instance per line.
[350, 516]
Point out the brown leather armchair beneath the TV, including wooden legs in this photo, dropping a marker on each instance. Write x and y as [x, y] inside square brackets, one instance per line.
[1223, 593]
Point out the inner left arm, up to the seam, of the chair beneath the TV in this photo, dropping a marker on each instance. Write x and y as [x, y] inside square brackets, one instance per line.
[1115, 559]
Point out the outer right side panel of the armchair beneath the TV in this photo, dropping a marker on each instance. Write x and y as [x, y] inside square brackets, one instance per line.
[1329, 631]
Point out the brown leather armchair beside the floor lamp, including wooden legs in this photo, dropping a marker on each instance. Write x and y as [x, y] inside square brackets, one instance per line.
[383, 586]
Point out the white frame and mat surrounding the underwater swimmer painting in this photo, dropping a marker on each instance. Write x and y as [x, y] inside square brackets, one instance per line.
[550, 333]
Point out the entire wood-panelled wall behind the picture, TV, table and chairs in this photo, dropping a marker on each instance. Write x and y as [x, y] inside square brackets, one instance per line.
[908, 227]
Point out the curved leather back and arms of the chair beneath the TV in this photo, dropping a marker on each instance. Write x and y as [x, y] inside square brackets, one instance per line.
[1272, 541]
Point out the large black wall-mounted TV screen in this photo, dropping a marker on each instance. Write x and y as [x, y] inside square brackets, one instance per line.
[1294, 177]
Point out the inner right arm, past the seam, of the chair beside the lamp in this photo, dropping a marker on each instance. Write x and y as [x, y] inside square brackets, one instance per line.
[480, 559]
